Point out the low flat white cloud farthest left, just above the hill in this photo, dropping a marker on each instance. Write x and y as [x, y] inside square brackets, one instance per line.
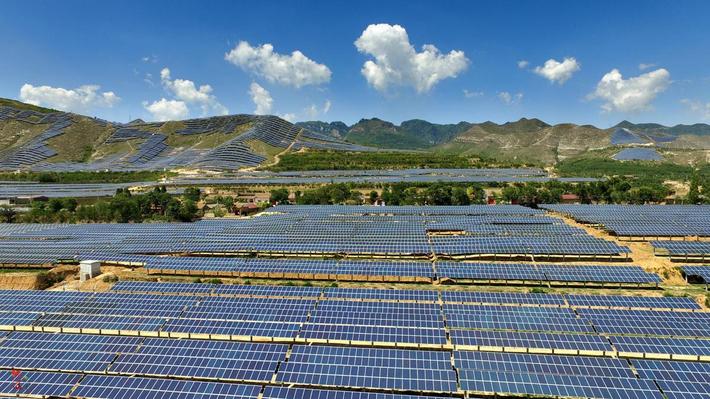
[76, 100]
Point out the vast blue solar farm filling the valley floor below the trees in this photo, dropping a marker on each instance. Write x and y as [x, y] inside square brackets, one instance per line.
[388, 303]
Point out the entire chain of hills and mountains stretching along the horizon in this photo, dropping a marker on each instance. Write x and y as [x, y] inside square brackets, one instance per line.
[35, 138]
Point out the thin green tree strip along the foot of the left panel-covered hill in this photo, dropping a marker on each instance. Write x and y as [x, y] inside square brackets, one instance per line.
[86, 177]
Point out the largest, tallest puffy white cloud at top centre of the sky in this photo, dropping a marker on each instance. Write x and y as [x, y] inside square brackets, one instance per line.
[397, 63]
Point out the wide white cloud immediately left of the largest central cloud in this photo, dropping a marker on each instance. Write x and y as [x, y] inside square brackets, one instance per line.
[295, 70]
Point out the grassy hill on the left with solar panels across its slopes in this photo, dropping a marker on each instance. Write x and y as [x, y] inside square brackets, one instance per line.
[35, 138]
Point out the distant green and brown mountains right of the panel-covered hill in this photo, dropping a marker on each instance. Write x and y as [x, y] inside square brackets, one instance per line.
[525, 140]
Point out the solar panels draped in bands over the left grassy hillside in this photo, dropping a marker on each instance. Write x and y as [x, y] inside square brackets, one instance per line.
[153, 152]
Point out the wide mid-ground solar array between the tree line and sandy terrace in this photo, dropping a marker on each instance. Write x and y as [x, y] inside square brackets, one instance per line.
[480, 232]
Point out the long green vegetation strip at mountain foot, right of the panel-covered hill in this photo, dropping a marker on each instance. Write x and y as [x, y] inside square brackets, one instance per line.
[332, 160]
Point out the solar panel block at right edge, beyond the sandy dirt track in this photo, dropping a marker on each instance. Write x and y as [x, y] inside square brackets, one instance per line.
[649, 221]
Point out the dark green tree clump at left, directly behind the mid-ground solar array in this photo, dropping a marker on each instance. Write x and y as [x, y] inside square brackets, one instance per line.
[123, 207]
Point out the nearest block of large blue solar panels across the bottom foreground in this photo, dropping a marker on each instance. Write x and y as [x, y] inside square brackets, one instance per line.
[495, 345]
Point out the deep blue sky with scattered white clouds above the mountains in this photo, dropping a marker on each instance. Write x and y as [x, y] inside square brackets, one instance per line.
[584, 62]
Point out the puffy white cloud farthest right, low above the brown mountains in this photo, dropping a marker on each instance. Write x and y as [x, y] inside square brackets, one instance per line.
[633, 94]
